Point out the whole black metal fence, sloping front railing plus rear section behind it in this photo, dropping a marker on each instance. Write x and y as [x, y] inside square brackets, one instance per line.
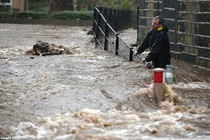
[106, 37]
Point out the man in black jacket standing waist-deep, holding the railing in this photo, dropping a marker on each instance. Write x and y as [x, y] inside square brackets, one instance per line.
[158, 42]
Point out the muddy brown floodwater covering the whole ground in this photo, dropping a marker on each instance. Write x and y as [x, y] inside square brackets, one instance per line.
[92, 94]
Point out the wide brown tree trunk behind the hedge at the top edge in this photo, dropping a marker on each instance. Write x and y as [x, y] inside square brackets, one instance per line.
[57, 5]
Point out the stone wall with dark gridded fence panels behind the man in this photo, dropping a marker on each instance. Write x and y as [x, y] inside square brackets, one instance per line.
[188, 22]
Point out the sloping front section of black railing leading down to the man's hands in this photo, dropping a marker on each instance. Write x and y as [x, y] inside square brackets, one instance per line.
[107, 38]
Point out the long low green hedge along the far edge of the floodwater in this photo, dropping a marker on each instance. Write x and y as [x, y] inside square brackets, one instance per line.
[63, 15]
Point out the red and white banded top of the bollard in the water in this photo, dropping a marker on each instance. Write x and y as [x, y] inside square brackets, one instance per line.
[159, 75]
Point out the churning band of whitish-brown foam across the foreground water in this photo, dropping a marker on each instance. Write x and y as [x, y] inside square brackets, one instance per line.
[113, 124]
